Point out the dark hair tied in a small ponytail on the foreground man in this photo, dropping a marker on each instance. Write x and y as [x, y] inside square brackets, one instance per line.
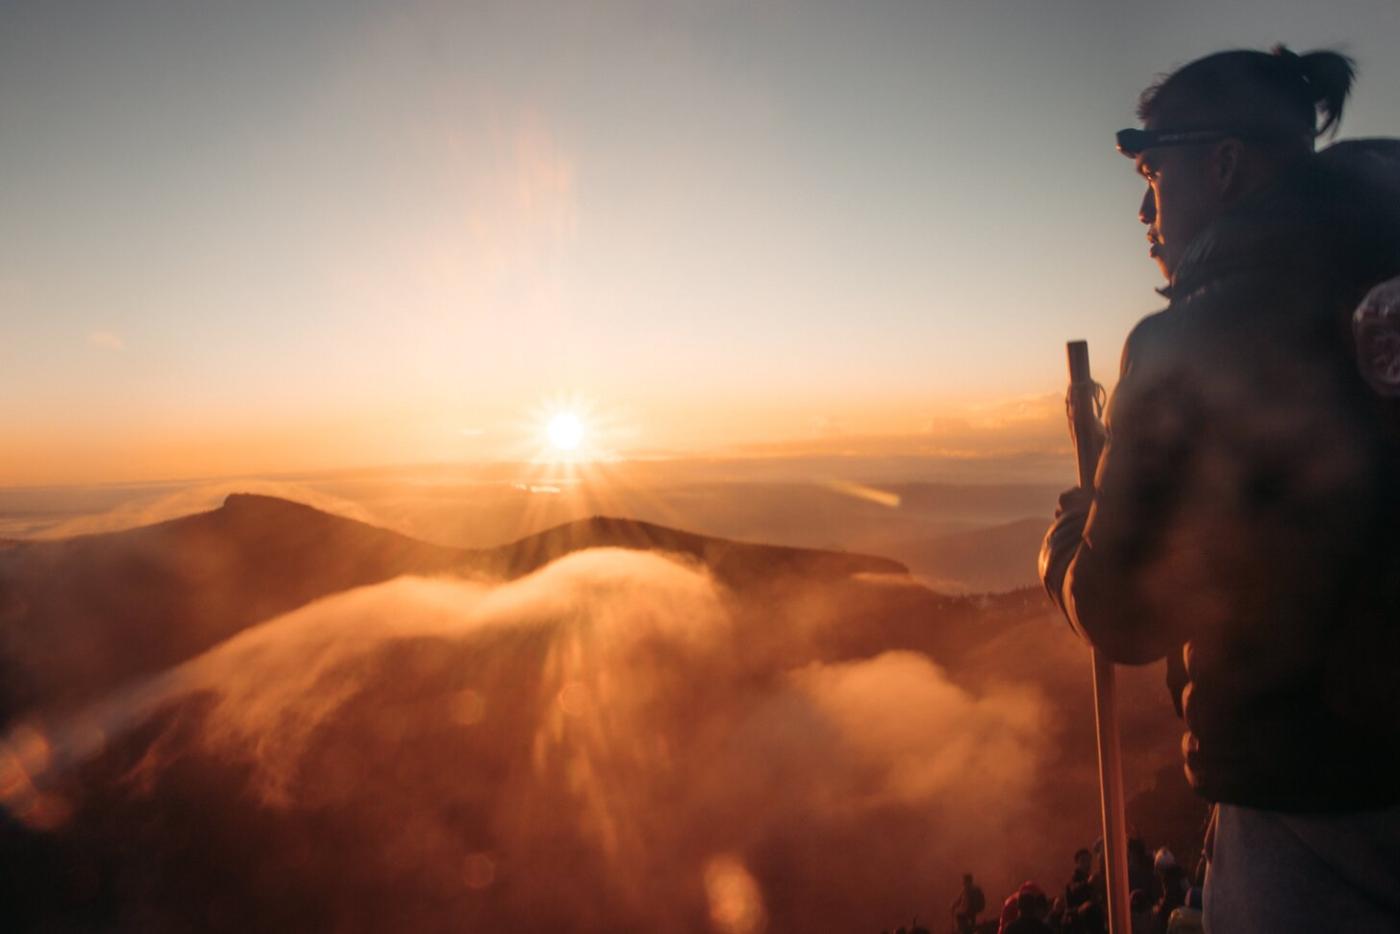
[1280, 92]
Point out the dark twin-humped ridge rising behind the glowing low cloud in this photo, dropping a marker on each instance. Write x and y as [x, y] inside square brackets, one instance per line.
[83, 615]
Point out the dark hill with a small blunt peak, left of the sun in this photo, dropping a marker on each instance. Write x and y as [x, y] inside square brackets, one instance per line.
[82, 615]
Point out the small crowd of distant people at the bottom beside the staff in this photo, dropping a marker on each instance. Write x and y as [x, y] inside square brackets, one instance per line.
[1164, 901]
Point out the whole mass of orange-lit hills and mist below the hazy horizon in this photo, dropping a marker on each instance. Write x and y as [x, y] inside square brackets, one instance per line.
[268, 718]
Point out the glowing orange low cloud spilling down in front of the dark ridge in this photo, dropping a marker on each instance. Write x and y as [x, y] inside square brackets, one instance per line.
[608, 744]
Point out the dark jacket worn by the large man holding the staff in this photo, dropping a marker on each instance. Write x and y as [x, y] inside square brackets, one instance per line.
[1248, 502]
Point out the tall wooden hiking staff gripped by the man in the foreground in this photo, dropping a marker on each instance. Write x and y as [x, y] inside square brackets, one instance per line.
[1084, 419]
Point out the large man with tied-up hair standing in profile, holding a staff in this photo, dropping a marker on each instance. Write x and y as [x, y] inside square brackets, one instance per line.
[1245, 520]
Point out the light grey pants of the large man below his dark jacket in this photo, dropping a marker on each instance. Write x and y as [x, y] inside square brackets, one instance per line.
[1283, 873]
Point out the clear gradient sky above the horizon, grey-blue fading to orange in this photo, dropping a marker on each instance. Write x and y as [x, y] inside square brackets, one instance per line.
[257, 237]
